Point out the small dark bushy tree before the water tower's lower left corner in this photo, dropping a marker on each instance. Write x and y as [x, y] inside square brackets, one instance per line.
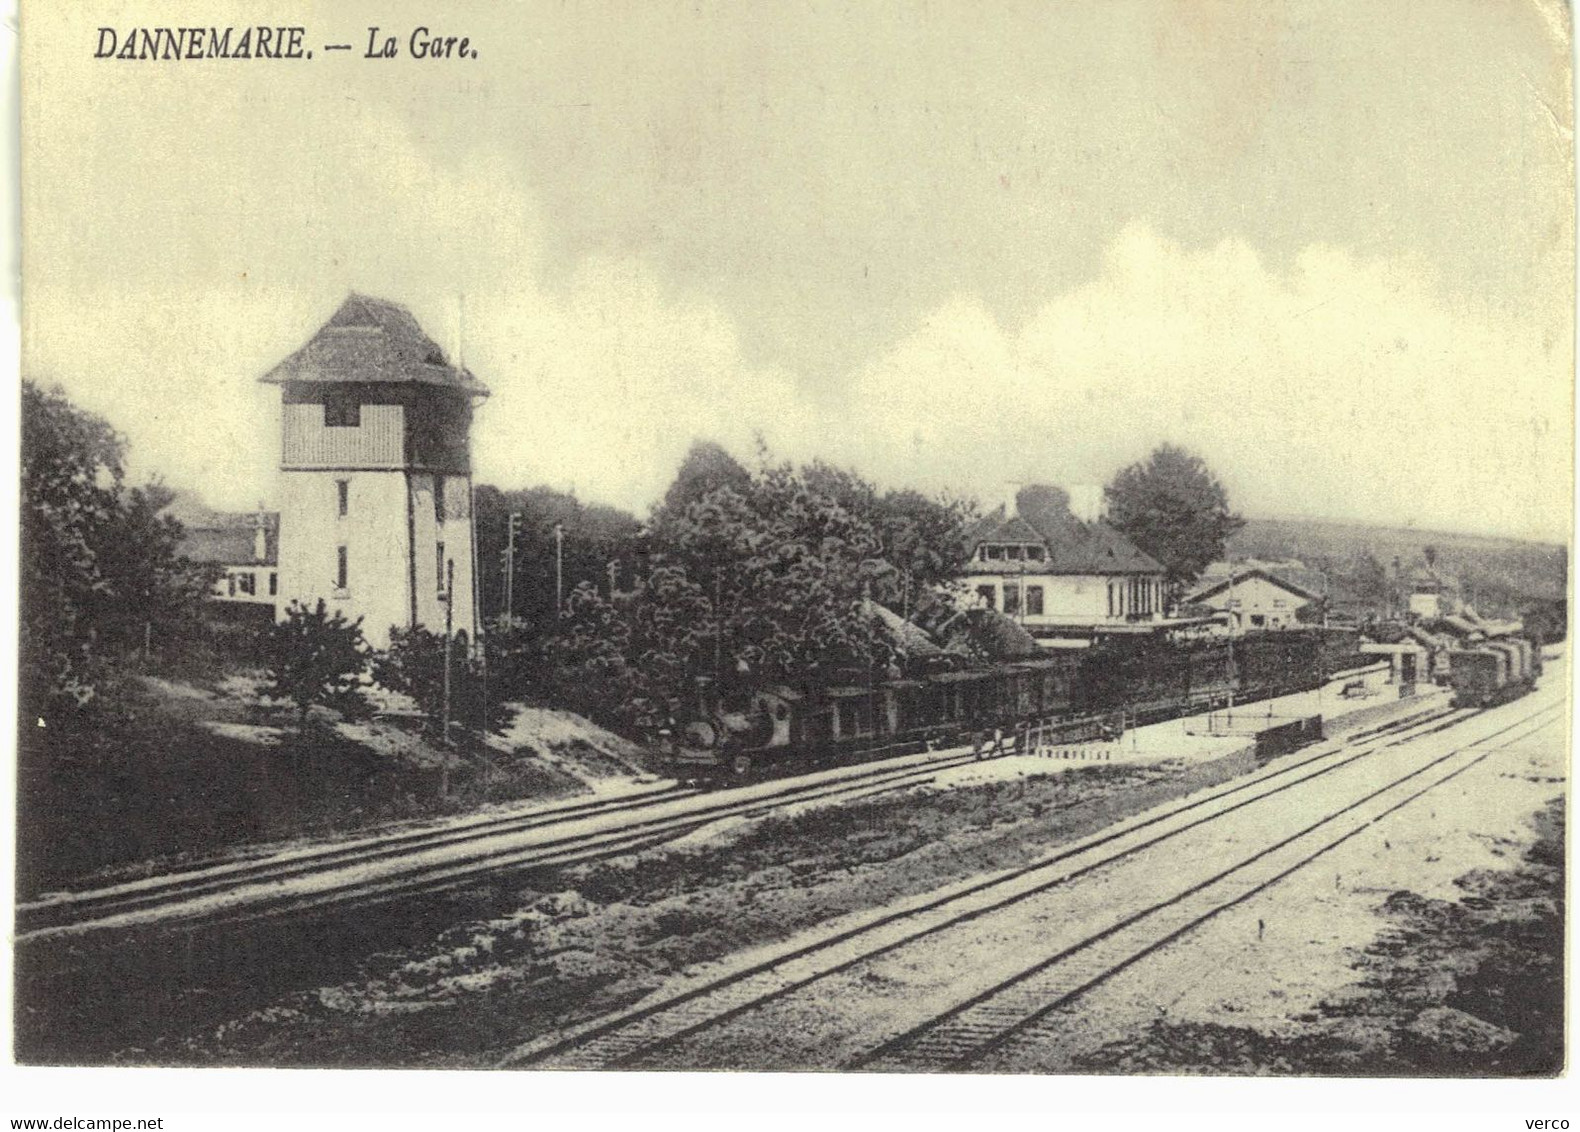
[318, 658]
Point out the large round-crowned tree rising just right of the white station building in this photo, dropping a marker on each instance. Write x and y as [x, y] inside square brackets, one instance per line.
[1173, 508]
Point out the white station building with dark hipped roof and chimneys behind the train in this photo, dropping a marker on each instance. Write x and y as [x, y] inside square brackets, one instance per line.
[1061, 575]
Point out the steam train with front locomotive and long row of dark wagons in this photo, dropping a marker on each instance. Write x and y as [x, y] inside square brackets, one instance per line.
[1078, 696]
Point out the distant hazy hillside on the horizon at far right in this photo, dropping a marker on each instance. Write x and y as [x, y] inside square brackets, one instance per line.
[1497, 575]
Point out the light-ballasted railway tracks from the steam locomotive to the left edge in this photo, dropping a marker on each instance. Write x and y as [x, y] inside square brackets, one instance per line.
[435, 861]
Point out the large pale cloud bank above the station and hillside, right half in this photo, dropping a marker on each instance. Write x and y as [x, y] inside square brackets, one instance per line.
[1344, 388]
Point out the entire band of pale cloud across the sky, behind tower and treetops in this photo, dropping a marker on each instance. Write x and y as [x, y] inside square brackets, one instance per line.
[1344, 388]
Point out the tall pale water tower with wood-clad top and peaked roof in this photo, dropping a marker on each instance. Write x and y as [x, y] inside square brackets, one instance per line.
[377, 481]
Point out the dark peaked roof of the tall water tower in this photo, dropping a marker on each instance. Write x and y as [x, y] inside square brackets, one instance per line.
[374, 342]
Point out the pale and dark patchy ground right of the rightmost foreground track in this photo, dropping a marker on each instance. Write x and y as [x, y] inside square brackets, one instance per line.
[1429, 945]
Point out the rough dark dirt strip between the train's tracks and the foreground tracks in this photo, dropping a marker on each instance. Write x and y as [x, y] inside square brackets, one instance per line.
[612, 934]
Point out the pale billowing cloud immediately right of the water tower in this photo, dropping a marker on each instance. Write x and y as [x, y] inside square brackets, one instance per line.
[606, 385]
